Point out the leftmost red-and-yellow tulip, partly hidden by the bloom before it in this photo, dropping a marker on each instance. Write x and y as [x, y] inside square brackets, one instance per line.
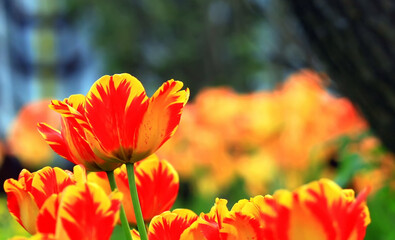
[27, 195]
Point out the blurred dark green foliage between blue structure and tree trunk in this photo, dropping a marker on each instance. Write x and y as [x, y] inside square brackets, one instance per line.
[203, 43]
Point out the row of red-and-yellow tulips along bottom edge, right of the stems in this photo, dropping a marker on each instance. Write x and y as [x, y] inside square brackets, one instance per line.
[318, 210]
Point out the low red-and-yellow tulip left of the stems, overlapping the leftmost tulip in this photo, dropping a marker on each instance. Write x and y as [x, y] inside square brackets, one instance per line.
[83, 211]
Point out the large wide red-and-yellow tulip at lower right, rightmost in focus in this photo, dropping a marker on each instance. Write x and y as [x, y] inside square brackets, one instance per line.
[318, 210]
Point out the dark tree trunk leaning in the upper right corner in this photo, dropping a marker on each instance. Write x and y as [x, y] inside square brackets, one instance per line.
[355, 40]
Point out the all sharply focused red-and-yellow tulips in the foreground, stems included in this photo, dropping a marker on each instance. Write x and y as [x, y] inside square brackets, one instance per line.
[113, 132]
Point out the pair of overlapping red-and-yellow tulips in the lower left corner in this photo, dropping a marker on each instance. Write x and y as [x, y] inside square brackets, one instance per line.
[48, 203]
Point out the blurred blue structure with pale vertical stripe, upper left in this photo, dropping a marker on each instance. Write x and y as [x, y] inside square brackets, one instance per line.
[44, 54]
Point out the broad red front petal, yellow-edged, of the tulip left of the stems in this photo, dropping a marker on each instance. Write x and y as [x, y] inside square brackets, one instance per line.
[86, 212]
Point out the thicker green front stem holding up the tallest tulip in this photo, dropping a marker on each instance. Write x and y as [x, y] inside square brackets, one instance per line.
[136, 202]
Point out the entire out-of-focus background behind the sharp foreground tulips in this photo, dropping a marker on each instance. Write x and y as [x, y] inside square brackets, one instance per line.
[283, 92]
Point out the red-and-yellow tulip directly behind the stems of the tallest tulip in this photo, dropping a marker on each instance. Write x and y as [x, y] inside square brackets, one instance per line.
[157, 186]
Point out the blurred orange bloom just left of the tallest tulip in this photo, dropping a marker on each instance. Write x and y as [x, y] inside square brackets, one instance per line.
[23, 139]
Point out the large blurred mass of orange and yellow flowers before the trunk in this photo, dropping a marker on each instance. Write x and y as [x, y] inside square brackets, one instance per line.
[261, 135]
